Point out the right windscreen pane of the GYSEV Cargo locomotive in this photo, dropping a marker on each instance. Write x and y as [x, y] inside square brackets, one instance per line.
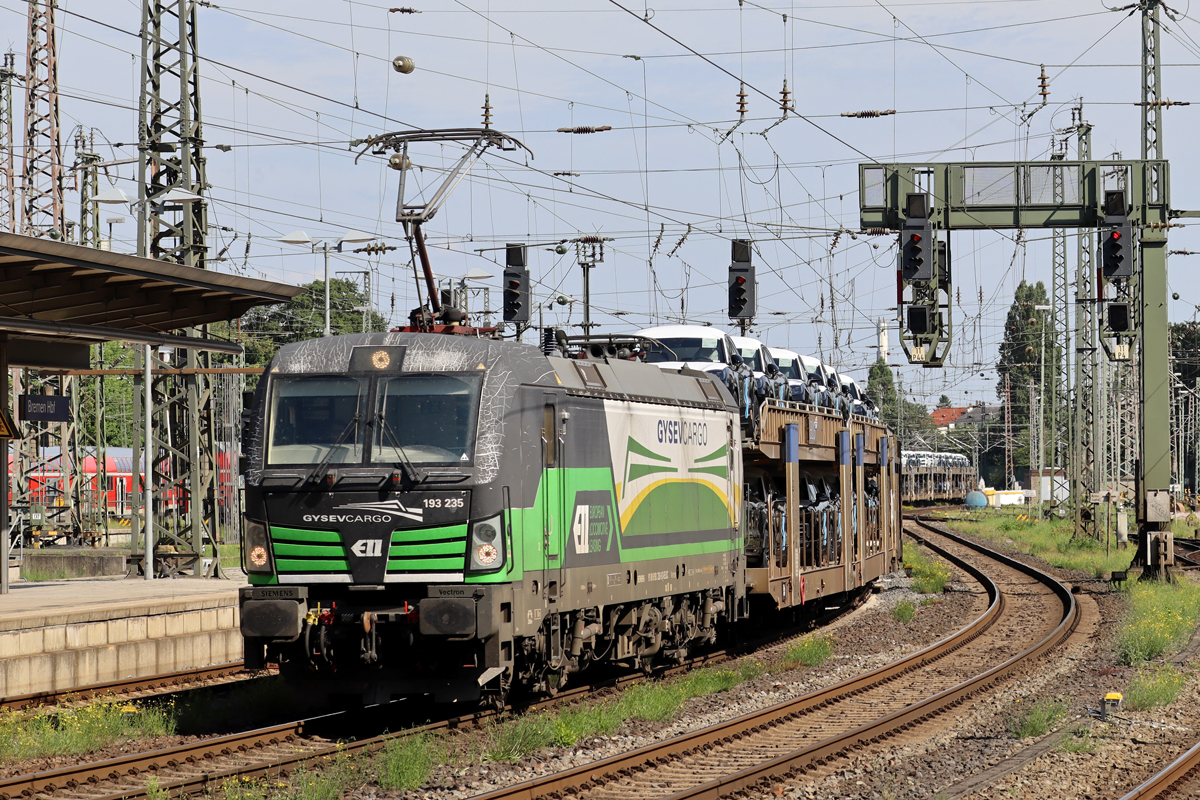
[427, 419]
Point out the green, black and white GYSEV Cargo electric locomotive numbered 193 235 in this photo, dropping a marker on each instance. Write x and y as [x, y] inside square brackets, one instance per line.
[453, 516]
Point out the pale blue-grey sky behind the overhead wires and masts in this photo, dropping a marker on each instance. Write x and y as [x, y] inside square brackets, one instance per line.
[287, 88]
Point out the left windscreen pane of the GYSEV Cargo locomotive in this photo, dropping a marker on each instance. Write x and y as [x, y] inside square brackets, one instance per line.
[314, 419]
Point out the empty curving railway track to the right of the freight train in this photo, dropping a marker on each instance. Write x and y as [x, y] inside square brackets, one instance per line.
[789, 741]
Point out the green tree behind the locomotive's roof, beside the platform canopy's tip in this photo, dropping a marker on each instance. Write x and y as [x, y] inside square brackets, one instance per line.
[269, 328]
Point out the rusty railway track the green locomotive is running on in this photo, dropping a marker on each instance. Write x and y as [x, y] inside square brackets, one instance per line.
[200, 768]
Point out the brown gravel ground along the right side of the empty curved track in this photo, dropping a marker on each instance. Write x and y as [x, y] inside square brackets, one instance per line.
[979, 739]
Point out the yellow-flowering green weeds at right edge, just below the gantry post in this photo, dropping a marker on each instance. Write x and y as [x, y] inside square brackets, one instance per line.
[1161, 619]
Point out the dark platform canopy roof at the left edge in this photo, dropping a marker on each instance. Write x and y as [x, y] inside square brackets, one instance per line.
[53, 294]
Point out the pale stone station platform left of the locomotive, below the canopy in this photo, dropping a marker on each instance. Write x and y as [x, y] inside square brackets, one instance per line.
[63, 635]
